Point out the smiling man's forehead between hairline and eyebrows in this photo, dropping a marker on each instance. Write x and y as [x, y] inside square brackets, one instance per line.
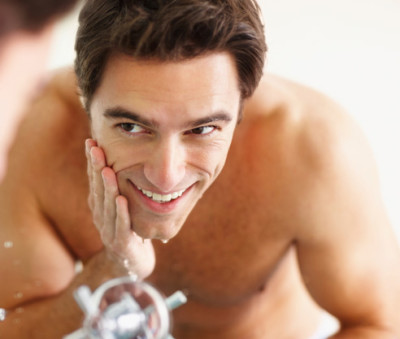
[208, 82]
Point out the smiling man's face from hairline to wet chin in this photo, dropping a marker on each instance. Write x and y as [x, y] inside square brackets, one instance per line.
[166, 129]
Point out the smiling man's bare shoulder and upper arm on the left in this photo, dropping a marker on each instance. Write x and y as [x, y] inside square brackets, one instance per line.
[36, 196]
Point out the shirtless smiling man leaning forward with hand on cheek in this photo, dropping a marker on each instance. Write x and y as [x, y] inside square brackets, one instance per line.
[292, 224]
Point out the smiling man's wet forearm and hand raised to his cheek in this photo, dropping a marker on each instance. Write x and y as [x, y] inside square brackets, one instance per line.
[58, 315]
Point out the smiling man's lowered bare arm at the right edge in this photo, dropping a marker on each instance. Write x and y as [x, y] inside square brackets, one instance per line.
[347, 252]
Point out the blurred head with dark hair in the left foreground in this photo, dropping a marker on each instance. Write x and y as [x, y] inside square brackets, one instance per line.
[25, 35]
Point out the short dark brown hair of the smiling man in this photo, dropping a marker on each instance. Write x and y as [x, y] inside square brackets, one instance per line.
[168, 30]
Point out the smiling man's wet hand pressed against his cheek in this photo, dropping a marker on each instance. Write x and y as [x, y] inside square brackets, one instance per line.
[111, 216]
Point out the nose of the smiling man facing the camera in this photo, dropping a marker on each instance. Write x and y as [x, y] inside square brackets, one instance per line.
[165, 167]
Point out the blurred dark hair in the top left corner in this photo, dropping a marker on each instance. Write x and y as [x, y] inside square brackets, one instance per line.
[30, 15]
